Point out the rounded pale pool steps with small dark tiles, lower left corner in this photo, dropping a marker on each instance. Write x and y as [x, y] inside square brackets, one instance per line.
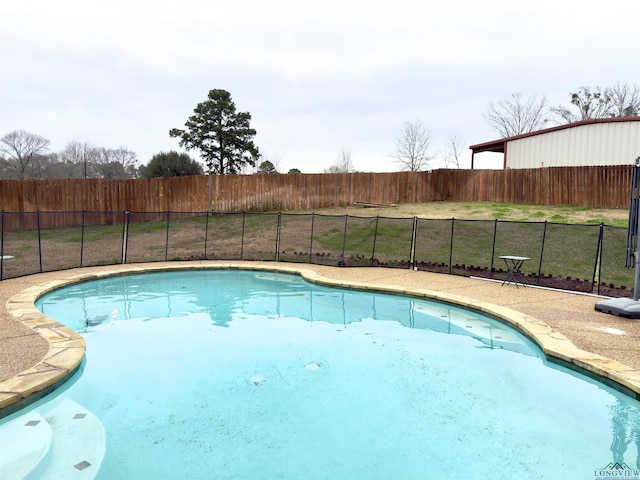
[71, 444]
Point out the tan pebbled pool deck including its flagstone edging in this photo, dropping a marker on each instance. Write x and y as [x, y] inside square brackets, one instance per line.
[36, 352]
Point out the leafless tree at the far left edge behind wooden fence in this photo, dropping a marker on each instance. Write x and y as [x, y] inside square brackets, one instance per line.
[23, 152]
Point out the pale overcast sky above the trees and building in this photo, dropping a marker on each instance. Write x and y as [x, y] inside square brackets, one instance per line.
[317, 77]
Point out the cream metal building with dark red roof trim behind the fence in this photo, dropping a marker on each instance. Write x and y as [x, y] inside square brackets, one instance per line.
[602, 141]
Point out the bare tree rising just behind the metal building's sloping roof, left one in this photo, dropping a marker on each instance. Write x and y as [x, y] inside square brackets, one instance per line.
[516, 115]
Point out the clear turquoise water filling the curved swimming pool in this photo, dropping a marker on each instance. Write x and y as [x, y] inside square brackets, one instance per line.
[254, 375]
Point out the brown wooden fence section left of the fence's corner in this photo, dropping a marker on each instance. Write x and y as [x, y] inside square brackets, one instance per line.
[219, 193]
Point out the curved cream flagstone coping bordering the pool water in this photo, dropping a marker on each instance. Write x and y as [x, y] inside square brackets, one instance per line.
[67, 348]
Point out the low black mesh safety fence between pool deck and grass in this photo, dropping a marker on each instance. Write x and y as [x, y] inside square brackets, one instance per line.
[579, 257]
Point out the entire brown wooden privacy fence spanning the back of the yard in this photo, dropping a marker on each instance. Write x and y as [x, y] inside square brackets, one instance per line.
[600, 186]
